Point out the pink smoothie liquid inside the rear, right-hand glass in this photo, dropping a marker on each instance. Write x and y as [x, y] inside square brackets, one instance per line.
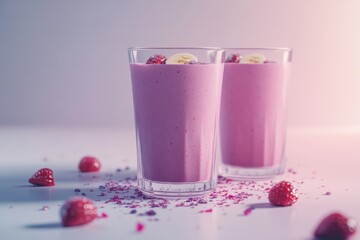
[253, 114]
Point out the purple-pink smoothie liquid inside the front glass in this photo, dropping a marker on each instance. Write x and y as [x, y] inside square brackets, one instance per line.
[176, 114]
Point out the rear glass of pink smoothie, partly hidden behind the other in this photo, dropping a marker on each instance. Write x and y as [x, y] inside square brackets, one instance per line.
[253, 112]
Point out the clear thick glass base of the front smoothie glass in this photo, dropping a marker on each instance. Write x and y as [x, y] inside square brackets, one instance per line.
[175, 189]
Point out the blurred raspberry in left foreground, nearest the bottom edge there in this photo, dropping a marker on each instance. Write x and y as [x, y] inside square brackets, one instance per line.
[78, 211]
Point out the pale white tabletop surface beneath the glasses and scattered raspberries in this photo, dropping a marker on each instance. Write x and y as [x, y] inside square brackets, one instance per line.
[323, 164]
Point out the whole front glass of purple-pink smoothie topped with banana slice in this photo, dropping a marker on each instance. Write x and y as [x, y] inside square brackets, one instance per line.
[176, 93]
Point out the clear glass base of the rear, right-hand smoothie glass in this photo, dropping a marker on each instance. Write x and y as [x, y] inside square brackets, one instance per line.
[235, 172]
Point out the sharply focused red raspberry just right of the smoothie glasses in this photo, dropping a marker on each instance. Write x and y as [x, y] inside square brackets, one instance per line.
[283, 194]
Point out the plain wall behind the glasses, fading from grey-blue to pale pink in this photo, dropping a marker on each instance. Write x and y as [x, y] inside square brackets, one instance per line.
[65, 62]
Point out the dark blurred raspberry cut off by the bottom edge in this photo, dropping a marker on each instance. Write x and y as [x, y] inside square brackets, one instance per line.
[335, 227]
